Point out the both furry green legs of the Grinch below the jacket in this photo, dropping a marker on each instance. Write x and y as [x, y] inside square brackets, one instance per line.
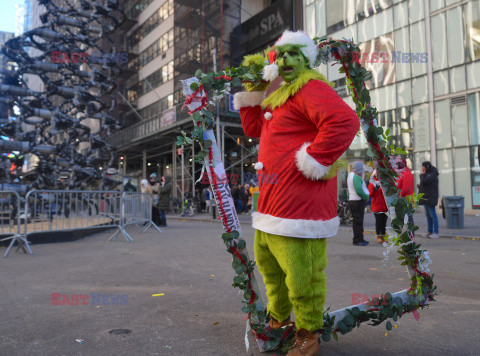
[293, 273]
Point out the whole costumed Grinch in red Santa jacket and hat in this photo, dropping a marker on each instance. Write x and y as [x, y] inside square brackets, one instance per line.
[304, 128]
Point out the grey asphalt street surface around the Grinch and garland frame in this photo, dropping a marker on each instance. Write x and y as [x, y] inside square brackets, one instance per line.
[196, 311]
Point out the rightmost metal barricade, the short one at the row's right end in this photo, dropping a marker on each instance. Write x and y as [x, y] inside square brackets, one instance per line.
[137, 210]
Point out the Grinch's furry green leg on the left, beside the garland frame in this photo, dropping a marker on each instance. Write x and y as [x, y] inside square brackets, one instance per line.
[279, 306]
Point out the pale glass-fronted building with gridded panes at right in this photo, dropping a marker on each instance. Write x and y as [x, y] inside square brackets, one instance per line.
[424, 57]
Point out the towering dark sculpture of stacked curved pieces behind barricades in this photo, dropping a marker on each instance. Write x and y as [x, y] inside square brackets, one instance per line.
[51, 122]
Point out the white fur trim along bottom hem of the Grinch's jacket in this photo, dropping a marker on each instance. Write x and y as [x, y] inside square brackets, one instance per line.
[307, 229]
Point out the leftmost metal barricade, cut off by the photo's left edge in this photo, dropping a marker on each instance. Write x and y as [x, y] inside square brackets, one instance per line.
[10, 225]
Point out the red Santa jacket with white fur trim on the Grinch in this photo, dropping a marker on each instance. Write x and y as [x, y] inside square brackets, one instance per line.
[299, 141]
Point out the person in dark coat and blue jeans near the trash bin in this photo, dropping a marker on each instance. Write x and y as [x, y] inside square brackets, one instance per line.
[429, 188]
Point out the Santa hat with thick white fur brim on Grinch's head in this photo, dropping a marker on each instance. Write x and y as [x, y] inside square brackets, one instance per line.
[309, 50]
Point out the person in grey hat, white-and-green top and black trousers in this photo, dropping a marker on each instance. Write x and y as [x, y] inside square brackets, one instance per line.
[358, 197]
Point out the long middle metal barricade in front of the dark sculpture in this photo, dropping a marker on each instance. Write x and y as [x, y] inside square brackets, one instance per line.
[64, 210]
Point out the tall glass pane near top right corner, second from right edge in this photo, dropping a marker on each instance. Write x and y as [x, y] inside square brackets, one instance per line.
[455, 36]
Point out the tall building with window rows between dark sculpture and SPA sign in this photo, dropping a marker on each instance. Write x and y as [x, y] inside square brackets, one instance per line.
[170, 41]
